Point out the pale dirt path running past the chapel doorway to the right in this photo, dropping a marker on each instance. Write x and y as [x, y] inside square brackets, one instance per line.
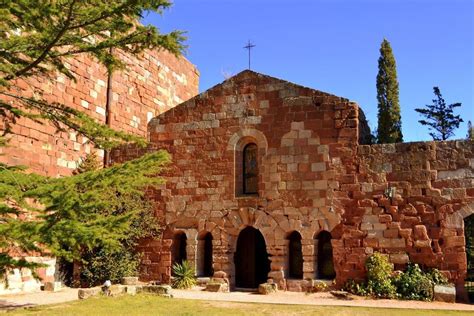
[312, 299]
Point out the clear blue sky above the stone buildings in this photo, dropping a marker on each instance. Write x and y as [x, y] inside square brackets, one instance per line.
[333, 46]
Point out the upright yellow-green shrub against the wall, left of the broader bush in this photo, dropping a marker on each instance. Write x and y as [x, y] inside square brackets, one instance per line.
[379, 272]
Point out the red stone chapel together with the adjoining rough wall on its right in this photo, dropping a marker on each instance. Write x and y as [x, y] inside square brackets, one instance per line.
[272, 180]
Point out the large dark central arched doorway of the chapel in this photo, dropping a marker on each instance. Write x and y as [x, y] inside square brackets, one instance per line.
[251, 259]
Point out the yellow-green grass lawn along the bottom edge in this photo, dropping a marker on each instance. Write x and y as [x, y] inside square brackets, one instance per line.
[153, 305]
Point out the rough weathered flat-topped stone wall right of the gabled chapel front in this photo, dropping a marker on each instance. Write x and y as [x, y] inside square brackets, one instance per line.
[408, 201]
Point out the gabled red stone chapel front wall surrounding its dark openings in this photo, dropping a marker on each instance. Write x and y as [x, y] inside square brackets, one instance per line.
[303, 138]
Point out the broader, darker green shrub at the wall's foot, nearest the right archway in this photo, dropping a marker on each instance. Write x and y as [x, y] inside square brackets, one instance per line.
[414, 284]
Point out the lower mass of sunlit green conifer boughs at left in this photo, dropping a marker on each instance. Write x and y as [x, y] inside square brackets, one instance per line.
[79, 213]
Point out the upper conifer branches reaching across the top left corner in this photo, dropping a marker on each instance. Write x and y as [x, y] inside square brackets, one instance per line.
[38, 38]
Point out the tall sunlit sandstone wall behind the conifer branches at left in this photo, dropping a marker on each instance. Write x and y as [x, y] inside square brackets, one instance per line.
[151, 84]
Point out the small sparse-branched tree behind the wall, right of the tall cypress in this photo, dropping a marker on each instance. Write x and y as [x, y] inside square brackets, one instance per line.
[439, 117]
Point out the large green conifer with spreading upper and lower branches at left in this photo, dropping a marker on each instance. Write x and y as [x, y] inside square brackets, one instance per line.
[68, 216]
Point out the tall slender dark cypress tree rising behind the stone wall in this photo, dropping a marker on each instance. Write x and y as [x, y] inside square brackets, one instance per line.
[389, 121]
